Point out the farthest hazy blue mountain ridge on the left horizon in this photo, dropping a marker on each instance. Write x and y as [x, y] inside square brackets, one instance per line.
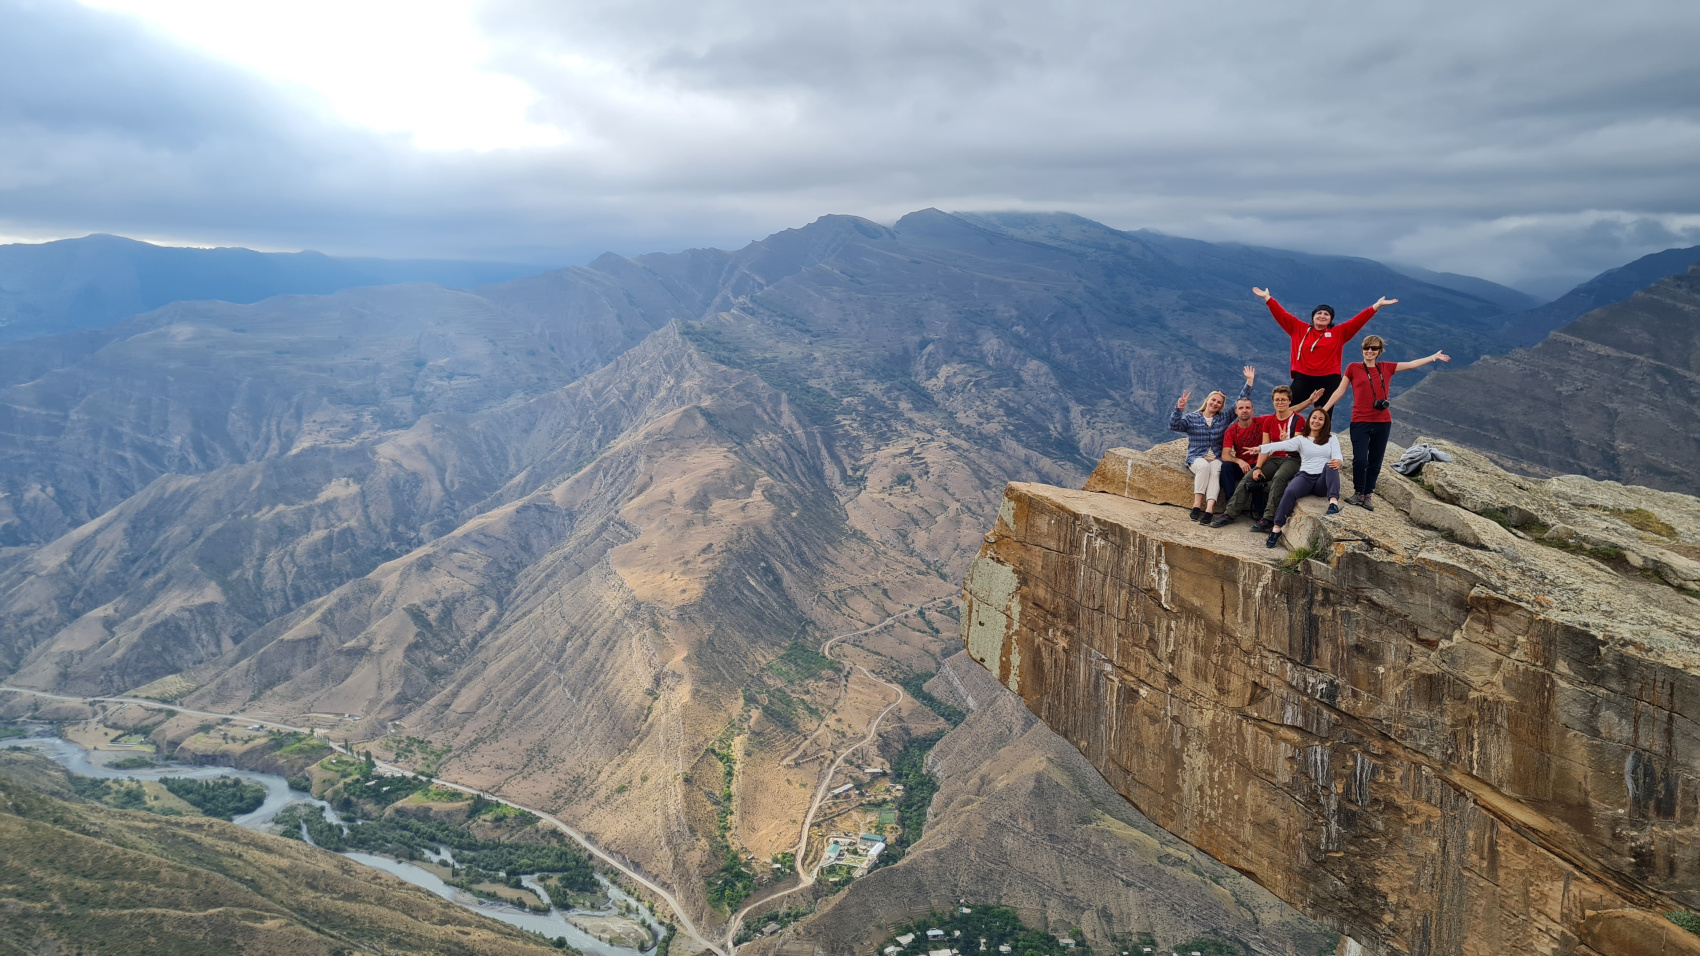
[88, 283]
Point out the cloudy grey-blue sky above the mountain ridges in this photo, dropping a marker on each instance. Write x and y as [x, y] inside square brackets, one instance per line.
[1533, 144]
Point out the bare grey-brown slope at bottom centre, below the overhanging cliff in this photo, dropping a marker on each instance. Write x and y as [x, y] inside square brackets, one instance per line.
[1024, 821]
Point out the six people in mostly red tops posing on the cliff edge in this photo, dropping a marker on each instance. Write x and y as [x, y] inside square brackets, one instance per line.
[1264, 465]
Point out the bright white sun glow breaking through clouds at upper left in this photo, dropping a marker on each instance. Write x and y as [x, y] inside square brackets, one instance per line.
[409, 67]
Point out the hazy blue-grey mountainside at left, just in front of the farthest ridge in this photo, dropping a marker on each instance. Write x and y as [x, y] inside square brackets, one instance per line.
[91, 419]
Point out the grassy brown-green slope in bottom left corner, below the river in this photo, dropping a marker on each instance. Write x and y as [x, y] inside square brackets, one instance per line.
[84, 879]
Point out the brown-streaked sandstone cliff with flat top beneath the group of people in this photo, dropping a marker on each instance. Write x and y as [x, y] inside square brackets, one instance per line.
[1439, 736]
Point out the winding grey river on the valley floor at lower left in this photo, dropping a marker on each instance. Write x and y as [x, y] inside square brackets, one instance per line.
[280, 795]
